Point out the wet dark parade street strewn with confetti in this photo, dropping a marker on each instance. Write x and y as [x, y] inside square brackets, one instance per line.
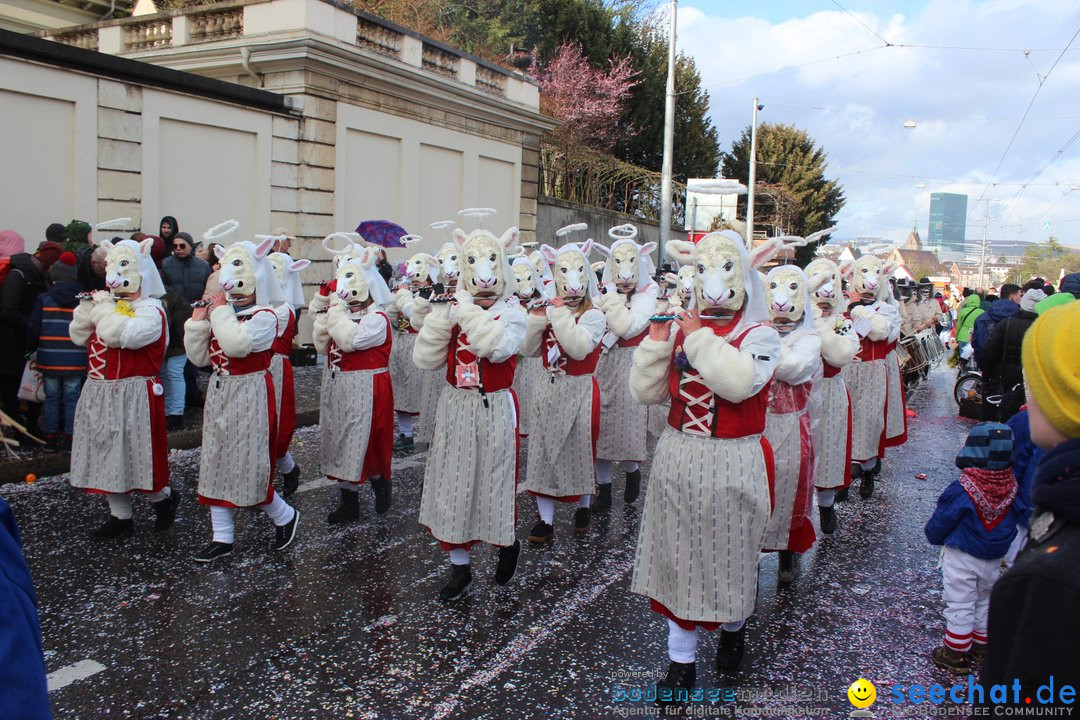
[347, 623]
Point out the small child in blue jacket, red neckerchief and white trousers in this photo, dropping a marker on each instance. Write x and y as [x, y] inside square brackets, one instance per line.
[976, 521]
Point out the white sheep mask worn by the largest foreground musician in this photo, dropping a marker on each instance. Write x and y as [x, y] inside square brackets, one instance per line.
[726, 279]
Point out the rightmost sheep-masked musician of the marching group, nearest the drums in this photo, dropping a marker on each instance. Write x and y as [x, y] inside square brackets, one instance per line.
[875, 396]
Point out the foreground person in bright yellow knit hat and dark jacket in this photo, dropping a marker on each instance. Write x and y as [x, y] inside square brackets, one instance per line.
[1034, 626]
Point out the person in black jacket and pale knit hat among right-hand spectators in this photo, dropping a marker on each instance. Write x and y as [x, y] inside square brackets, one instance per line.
[1002, 357]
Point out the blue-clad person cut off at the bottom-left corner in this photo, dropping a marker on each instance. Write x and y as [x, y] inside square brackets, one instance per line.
[24, 691]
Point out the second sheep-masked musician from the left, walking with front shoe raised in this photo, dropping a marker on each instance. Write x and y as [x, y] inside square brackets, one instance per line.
[235, 335]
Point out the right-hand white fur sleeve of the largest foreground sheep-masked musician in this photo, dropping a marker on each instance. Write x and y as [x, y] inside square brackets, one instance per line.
[735, 375]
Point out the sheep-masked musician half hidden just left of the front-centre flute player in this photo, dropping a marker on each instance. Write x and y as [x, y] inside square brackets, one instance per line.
[416, 391]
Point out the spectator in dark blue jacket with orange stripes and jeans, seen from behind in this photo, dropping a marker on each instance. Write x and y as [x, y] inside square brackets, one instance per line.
[62, 363]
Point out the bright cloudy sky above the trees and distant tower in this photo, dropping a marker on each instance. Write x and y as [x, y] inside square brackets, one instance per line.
[966, 80]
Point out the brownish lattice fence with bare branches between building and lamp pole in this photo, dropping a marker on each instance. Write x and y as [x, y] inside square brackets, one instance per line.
[584, 176]
